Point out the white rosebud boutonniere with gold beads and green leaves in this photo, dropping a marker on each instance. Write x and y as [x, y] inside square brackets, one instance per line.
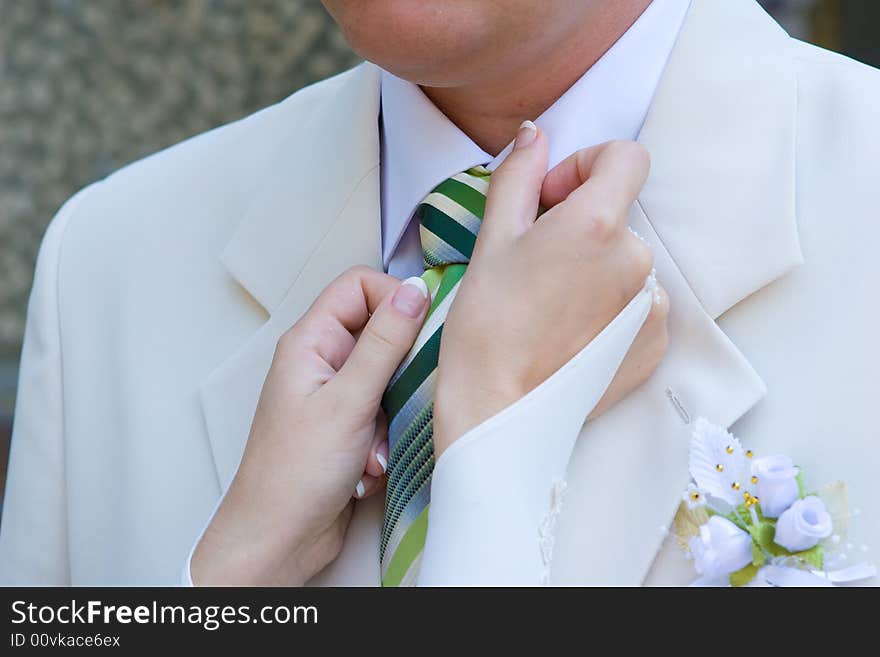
[750, 520]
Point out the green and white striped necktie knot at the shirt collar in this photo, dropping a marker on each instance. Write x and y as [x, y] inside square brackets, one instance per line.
[450, 217]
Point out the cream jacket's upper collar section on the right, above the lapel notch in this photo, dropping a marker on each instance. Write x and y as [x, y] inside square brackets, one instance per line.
[721, 133]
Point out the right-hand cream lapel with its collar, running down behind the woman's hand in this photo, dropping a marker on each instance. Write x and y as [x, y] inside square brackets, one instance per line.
[719, 213]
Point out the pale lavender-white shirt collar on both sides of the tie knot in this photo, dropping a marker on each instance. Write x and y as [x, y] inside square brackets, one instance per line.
[421, 147]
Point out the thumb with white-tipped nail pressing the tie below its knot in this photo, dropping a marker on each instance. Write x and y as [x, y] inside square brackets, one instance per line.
[385, 341]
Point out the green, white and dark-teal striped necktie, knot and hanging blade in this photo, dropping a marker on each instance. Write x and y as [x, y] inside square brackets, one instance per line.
[449, 220]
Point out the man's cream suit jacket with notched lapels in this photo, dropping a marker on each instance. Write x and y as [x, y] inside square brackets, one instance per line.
[160, 293]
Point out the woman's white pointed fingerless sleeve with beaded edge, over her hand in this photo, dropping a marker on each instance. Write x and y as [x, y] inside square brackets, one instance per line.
[496, 492]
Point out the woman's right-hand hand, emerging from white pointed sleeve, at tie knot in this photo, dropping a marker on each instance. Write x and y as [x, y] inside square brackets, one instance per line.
[537, 291]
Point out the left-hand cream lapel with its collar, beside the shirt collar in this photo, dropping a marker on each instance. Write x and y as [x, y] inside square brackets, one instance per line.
[314, 216]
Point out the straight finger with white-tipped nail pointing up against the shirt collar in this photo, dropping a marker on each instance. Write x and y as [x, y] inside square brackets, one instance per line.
[512, 201]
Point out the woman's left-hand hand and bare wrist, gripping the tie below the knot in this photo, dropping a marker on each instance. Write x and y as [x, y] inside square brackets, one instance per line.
[318, 437]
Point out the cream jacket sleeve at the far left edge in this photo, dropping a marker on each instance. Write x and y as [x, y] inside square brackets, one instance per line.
[33, 532]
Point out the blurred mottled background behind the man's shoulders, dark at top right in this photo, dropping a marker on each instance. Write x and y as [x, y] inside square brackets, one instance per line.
[87, 86]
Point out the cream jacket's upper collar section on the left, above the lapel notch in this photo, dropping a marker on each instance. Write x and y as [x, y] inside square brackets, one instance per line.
[320, 162]
